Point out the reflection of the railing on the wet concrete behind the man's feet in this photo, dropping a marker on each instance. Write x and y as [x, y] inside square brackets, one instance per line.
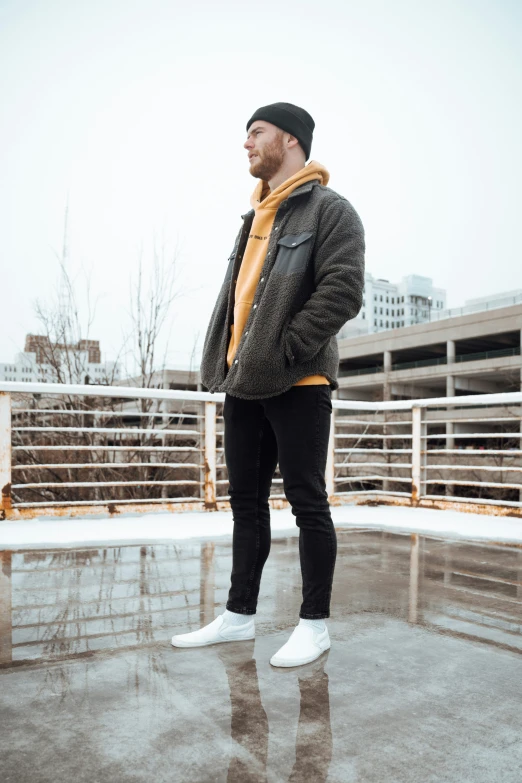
[69, 603]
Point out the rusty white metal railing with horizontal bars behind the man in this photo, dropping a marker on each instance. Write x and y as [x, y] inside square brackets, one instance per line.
[80, 449]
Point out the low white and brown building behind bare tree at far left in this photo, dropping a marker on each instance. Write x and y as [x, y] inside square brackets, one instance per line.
[49, 362]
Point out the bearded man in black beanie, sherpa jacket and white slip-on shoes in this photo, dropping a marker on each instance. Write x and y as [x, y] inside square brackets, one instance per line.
[295, 276]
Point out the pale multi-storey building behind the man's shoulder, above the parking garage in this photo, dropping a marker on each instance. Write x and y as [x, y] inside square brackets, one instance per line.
[389, 305]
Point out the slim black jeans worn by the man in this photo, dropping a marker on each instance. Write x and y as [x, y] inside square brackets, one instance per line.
[292, 428]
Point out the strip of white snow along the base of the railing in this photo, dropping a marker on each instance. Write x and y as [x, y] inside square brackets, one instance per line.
[162, 526]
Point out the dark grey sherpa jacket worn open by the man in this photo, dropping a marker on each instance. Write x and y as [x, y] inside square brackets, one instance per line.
[311, 283]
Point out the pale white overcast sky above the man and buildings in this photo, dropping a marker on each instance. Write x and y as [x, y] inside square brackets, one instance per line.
[134, 111]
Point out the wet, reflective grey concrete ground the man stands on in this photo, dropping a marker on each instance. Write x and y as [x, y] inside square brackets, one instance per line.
[423, 681]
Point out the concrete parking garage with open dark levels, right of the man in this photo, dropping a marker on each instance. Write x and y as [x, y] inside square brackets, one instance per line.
[473, 353]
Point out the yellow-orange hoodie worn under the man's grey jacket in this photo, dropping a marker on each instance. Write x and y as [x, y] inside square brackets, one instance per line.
[266, 204]
